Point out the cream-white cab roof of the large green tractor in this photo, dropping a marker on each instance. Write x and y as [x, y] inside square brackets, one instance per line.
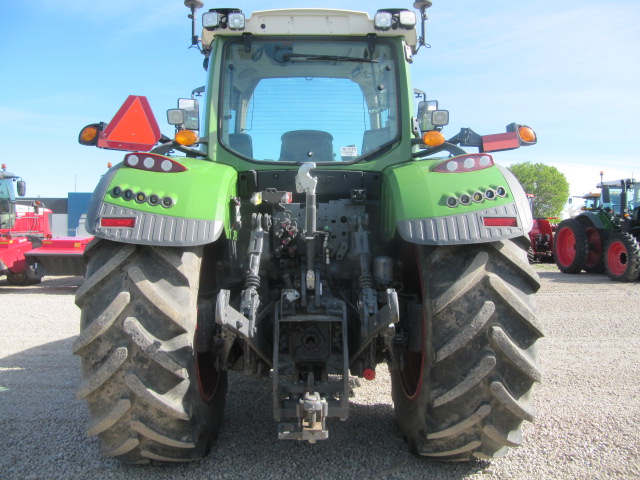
[309, 21]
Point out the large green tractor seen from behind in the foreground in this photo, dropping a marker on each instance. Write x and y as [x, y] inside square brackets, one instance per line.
[310, 223]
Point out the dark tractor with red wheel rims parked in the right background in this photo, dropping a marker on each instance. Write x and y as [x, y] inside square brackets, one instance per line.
[604, 237]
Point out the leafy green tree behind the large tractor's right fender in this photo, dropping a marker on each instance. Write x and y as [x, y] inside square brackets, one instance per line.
[548, 184]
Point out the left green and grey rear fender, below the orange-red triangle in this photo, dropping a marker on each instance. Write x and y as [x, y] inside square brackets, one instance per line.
[196, 213]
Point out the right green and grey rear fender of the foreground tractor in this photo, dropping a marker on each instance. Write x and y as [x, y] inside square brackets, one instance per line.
[415, 205]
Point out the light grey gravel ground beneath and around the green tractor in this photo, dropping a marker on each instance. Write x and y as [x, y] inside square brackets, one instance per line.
[588, 406]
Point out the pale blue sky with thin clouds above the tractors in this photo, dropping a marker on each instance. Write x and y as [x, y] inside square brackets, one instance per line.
[570, 69]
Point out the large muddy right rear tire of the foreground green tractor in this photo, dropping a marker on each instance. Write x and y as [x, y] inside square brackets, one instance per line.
[467, 392]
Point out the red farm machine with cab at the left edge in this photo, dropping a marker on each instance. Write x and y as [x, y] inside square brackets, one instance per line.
[28, 250]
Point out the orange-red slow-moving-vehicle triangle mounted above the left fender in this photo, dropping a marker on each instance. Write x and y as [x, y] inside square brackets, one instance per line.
[133, 127]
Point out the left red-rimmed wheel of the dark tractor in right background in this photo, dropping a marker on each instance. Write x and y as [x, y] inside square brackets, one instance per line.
[570, 246]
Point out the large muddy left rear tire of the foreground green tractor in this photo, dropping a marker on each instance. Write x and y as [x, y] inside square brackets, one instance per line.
[140, 370]
